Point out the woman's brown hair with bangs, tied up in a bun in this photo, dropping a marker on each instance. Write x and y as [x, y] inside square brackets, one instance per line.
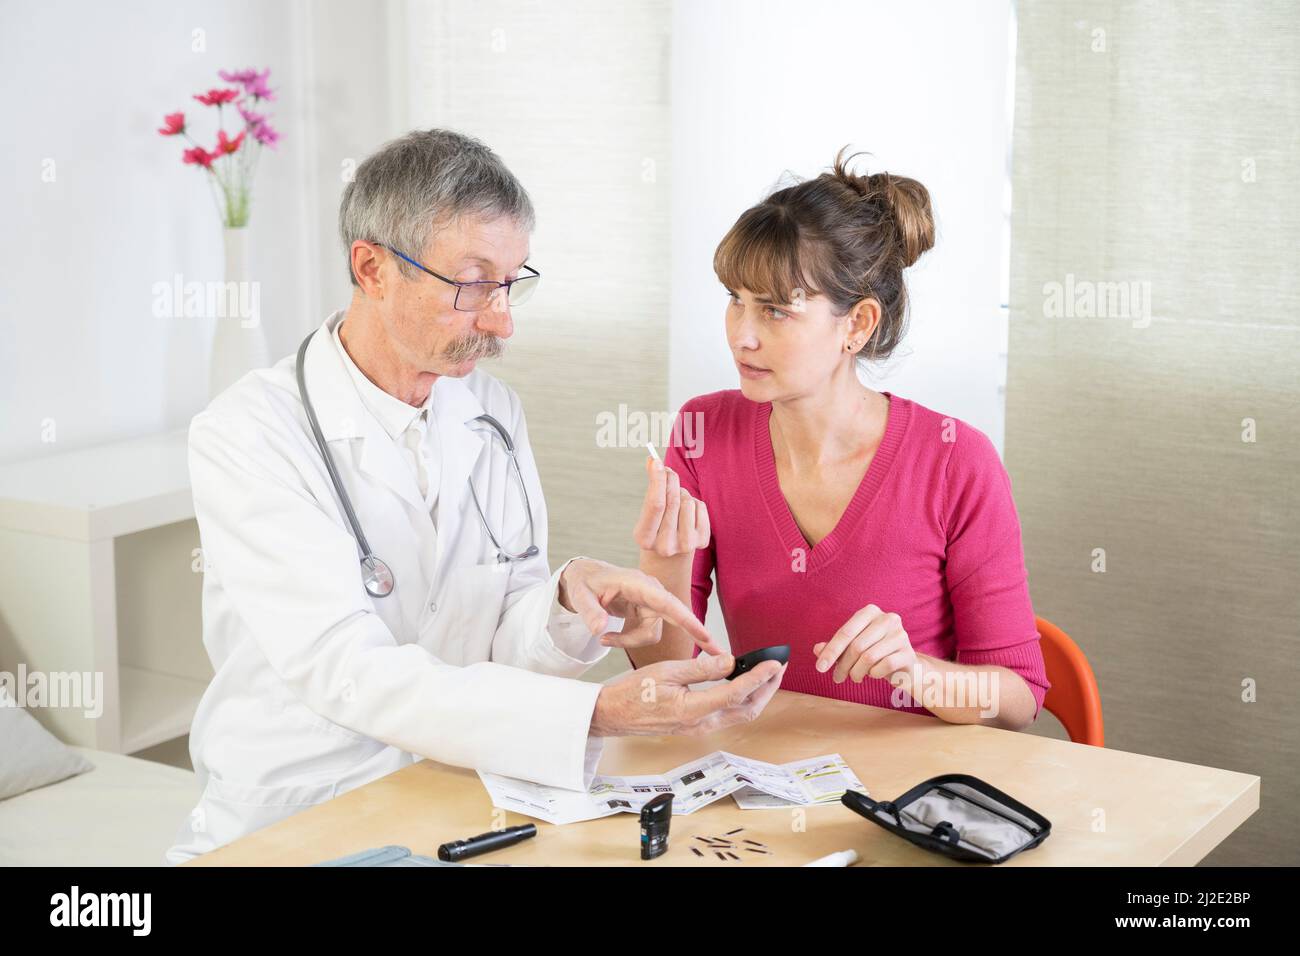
[843, 236]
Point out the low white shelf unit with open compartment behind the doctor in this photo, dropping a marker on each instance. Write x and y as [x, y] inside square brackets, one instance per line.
[97, 577]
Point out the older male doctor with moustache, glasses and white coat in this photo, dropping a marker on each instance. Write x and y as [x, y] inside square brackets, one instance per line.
[426, 624]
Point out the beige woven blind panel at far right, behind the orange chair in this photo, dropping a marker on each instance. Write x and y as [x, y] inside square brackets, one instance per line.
[1152, 427]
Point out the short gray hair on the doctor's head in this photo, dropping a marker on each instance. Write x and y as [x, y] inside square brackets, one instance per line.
[422, 183]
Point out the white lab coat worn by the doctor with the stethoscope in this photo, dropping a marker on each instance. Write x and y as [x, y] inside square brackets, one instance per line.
[319, 687]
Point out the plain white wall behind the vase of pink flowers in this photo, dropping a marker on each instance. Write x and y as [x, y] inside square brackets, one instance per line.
[86, 86]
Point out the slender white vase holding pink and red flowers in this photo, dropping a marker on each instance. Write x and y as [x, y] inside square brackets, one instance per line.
[239, 340]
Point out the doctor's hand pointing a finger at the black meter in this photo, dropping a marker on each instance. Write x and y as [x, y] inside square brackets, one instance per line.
[596, 590]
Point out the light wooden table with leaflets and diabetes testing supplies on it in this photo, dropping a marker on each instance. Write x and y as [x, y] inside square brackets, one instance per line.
[1107, 807]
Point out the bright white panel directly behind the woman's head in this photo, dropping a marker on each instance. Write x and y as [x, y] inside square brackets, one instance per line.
[760, 89]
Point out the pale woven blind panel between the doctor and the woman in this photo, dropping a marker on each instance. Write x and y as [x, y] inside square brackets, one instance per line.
[577, 102]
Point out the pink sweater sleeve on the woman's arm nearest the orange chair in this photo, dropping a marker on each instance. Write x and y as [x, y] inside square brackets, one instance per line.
[986, 574]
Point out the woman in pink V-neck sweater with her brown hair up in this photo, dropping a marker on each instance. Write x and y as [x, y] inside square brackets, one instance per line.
[874, 537]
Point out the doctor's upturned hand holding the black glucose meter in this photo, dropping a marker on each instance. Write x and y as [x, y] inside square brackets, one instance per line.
[657, 699]
